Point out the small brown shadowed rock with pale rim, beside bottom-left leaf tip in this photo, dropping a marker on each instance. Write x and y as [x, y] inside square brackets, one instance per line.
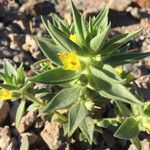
[31, 137]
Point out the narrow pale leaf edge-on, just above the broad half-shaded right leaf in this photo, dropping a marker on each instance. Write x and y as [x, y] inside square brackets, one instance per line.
[103, 76]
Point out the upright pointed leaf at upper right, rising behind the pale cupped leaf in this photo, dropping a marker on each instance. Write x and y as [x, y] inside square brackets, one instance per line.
[101, 20]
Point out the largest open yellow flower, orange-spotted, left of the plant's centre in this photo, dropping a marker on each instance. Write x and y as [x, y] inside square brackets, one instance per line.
[70, 61]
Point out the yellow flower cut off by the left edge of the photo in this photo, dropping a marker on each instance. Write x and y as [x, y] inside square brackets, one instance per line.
[5, 95]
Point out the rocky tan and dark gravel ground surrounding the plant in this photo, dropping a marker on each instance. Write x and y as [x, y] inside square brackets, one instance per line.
[21, 18]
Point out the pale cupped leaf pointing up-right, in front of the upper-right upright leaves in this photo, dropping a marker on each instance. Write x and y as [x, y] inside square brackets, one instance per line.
[98, 41]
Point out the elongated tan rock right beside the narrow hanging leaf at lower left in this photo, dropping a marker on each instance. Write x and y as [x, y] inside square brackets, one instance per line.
[27, 121]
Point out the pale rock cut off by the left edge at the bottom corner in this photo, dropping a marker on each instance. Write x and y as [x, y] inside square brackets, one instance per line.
[5, 138]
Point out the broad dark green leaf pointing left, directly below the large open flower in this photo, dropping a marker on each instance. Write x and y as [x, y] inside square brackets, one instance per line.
[55, 76]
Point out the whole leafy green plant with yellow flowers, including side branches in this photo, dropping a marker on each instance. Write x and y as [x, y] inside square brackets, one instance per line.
[83, 61]
